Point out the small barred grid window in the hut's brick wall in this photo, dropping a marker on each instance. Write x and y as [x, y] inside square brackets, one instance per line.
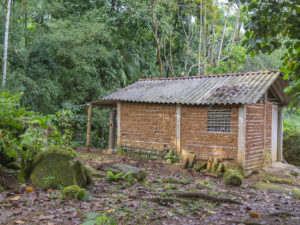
[218, 120]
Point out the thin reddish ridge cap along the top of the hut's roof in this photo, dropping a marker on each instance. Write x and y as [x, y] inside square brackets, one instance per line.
[209, 75]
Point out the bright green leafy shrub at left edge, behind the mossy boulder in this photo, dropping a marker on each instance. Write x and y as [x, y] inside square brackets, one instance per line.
[24, 133]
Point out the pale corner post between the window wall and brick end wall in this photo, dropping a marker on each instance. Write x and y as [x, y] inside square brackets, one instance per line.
[242, 136]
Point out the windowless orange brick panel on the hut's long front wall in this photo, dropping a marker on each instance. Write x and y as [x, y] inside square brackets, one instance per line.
[148, 126]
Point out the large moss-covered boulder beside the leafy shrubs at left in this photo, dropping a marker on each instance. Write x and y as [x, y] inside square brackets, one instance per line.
[54, 168]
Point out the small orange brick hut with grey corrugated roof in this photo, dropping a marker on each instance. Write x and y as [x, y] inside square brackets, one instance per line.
[234, 117]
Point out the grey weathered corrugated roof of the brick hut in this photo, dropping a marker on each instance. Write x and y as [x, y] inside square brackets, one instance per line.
[239, 88]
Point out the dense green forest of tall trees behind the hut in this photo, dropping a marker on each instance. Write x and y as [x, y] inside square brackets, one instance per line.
[64, 54]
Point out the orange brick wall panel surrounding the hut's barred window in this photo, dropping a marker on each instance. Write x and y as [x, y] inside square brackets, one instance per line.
[196, 139]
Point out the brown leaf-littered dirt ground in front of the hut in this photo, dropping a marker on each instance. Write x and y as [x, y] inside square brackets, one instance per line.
[131, 204]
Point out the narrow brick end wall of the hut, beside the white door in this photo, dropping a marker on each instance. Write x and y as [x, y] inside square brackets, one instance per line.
[258, 135]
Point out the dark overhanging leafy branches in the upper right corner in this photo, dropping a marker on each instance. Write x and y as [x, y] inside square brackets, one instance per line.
[274, 24]
